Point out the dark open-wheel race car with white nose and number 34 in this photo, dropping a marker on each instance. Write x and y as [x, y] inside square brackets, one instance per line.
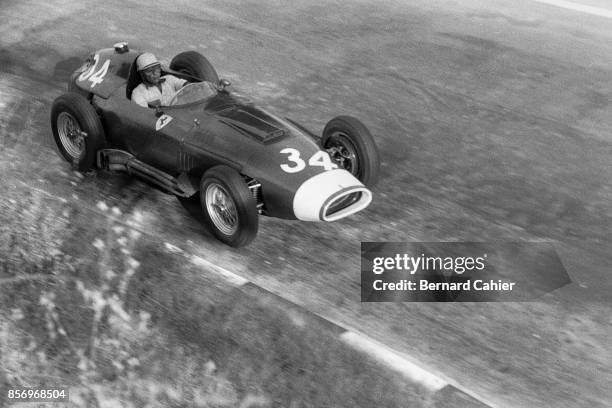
[242, 160]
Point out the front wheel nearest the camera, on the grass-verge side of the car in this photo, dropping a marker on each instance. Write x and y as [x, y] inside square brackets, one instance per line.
[228, 206]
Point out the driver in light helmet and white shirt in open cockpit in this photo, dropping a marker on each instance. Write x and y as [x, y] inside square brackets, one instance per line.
[155, 90]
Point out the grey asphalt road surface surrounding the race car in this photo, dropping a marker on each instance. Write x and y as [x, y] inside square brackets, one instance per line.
[493, 121]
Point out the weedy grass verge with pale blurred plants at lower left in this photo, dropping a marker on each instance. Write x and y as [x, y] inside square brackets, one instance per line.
[94, 303]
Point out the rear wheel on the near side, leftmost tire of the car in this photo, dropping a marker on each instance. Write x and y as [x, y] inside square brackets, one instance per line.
[77, 130]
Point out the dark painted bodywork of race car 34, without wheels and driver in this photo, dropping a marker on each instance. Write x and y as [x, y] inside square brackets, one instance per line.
[223, 129]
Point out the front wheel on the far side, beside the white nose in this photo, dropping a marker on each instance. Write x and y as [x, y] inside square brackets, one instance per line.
[352, 147]
